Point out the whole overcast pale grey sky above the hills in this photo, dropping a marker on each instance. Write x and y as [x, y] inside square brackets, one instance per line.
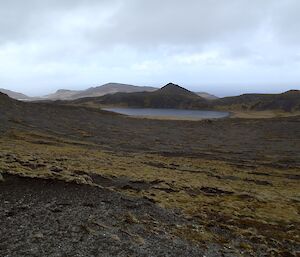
[225, 47]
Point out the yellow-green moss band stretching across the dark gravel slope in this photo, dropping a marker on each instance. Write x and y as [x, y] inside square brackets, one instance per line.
[267, 211]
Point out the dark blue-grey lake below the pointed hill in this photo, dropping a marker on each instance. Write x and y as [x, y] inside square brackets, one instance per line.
[170, 113]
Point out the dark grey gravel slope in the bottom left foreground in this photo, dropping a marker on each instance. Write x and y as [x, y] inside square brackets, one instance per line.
[50, 218]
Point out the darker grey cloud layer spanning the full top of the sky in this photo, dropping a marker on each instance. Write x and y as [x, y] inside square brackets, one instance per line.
[152, 23]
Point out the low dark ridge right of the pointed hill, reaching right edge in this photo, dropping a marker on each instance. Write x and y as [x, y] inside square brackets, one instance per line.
[288, 101]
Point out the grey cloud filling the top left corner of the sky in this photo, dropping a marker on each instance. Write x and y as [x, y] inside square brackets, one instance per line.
[24, 20]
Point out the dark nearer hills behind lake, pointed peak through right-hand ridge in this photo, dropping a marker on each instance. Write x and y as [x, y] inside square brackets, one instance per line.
[174, 96]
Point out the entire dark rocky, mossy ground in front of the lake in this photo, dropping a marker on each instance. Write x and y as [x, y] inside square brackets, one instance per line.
[78, 181]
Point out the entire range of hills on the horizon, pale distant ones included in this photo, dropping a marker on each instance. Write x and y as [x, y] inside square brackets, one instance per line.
[169, 96]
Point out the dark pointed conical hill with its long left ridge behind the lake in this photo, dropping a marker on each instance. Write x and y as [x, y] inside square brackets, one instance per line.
[169, 96]
